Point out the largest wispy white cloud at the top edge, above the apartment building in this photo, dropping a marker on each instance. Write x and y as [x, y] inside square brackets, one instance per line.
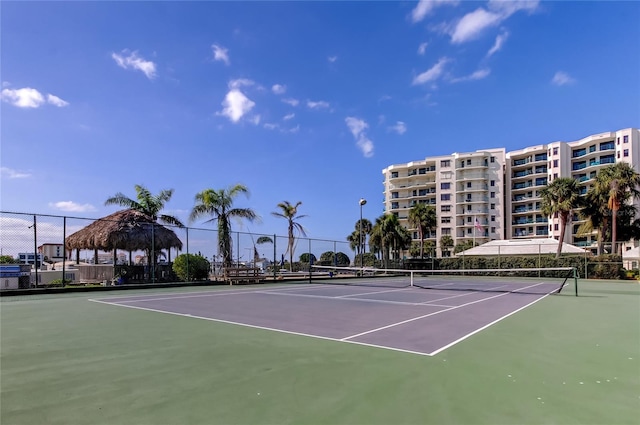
[474, 23]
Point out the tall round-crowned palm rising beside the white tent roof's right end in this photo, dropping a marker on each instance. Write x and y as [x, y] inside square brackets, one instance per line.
[561, 197]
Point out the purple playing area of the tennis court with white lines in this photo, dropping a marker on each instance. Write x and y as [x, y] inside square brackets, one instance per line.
[365, 311]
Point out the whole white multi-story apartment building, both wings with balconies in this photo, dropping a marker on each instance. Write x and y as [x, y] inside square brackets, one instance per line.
[490, 194]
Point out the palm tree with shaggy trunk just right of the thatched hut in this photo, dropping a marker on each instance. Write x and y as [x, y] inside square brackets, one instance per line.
[219, 204]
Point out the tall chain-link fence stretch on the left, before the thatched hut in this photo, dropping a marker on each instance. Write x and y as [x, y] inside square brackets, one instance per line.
[42, 242]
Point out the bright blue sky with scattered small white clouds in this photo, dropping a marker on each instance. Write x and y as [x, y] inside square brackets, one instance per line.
[299, 101]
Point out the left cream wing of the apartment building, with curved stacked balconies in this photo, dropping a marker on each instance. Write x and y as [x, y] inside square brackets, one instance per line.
[467, 190]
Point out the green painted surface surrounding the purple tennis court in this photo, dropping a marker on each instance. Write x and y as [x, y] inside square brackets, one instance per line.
[564, 359]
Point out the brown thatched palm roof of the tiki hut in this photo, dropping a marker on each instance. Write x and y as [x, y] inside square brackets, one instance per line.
[127, 229]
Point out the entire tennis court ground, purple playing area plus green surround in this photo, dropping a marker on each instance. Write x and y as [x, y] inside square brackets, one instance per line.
[324, 353]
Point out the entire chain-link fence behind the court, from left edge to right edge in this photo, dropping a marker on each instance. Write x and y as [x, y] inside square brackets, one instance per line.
[42, 242]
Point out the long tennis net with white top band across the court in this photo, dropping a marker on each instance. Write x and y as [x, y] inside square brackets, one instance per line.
[523, 280]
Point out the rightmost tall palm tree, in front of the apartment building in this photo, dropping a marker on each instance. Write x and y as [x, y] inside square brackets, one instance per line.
[620, 181]
